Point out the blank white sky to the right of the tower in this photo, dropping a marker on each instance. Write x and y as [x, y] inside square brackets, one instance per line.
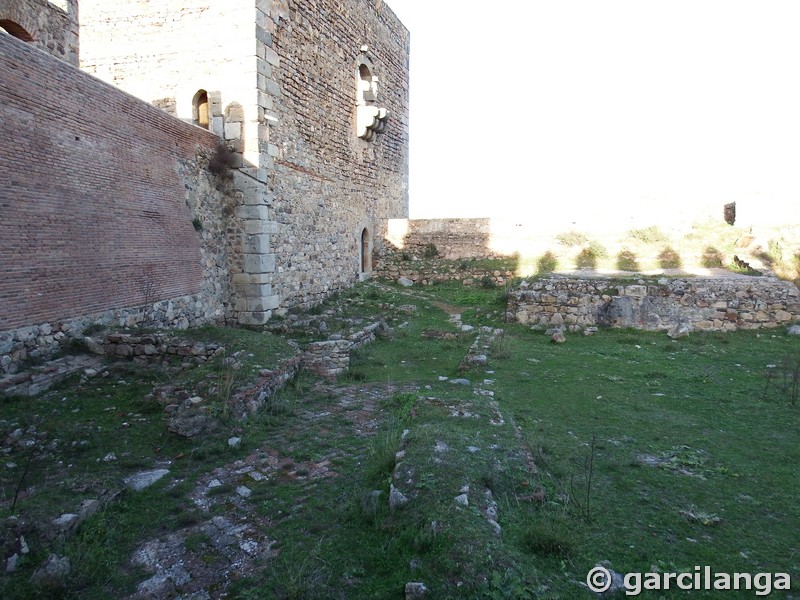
[533, 107]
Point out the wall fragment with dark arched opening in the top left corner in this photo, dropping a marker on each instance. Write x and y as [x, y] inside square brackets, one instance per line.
[51, 26]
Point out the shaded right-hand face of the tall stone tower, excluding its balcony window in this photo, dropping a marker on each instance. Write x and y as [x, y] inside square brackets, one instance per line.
[328, 184]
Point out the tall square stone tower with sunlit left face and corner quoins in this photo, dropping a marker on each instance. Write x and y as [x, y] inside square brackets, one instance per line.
[284, 84]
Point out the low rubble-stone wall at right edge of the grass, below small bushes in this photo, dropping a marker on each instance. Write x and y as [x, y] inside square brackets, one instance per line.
[706, 304]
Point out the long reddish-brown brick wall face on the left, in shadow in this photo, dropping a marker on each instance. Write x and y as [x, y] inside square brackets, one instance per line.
[91, 202]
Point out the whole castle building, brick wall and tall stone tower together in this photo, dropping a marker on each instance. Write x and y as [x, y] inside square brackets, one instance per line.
[181, 162]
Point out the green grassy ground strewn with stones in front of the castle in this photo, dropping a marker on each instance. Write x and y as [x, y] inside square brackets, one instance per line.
[625, 447]
